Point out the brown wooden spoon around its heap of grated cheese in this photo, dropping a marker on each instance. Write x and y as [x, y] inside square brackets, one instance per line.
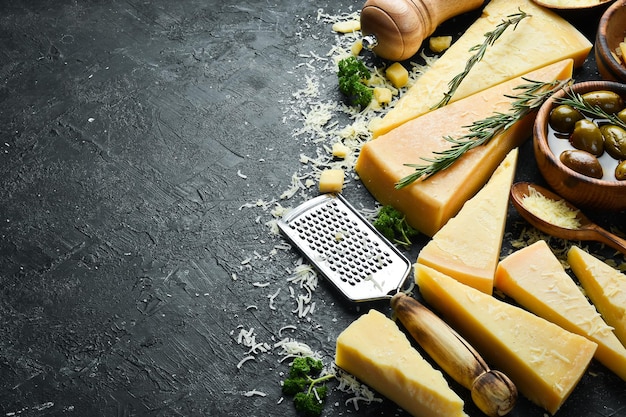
[587, 230]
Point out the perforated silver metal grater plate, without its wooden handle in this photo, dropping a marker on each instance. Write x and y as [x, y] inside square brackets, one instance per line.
[344, 247]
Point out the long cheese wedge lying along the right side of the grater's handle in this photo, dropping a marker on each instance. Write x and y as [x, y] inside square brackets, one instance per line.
[544, 361]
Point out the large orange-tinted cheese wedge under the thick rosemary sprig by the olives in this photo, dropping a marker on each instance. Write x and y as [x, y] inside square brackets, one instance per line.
[428, 204]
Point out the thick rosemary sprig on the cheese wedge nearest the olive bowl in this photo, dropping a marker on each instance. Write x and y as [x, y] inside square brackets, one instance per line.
[533, 95]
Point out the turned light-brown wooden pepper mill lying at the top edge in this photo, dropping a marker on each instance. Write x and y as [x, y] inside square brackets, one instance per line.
[395, 29]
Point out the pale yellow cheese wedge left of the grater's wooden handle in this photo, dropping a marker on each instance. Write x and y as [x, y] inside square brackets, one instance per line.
[374, 350]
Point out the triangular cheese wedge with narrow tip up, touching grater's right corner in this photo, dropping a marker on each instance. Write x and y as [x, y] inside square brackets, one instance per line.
[453, 249]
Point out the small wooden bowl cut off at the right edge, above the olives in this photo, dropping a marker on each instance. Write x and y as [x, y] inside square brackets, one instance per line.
[611, 32]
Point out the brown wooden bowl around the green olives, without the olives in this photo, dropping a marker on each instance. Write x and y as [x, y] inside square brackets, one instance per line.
[577, 188]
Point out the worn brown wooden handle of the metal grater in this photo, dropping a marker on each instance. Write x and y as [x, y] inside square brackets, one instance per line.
[492, 391]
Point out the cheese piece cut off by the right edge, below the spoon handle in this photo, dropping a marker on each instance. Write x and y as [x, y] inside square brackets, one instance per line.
[605, 286]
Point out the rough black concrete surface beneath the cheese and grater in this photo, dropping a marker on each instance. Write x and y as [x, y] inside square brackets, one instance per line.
[133, 133]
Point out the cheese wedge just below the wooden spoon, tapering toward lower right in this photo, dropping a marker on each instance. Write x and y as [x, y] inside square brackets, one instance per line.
[535, 279]
